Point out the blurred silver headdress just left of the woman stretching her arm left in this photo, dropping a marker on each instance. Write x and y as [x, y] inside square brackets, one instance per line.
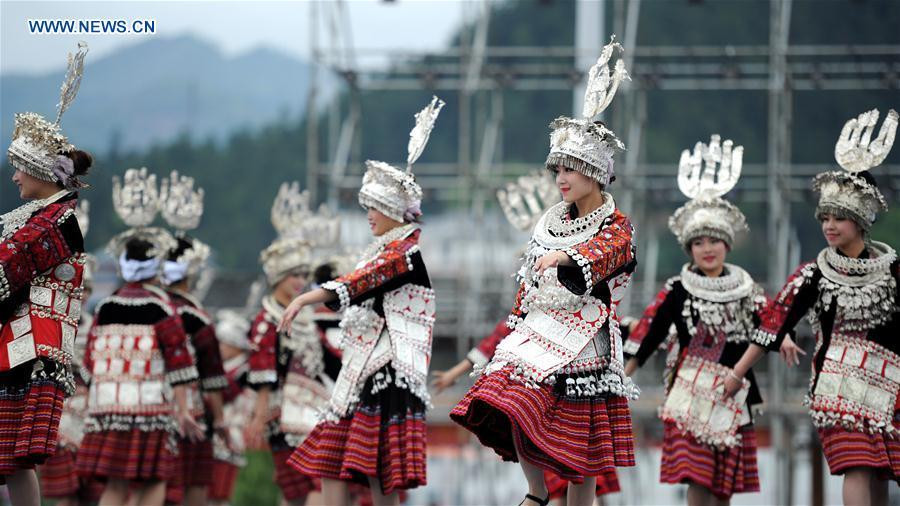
[290, 250]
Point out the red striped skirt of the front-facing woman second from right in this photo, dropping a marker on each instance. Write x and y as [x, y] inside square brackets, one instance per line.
[725, 472]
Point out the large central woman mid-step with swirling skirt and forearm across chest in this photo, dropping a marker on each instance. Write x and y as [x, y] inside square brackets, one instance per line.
[554, 397]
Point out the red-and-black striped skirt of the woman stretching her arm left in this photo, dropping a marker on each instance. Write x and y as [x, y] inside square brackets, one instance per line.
[385, 438]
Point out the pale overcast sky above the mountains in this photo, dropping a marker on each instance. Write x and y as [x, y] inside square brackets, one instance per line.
[235, 26]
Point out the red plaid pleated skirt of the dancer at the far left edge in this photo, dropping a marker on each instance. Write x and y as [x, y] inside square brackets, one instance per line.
[29, 421]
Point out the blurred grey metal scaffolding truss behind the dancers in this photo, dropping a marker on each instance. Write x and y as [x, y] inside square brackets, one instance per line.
[478, 74]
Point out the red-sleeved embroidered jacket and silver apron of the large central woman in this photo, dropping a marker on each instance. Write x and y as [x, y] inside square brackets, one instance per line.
[565, 321]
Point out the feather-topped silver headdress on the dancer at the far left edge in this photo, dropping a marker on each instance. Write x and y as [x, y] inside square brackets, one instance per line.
[38, 146]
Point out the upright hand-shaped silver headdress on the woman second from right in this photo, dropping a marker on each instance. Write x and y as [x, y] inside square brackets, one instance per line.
[704, 176]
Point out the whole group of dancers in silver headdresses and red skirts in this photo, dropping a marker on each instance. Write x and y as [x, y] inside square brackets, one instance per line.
[151, 400]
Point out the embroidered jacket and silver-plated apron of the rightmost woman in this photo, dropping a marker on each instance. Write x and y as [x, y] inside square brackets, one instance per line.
[855, 376]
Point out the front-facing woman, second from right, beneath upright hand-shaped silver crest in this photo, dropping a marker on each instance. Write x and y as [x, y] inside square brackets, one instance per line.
[708, 443]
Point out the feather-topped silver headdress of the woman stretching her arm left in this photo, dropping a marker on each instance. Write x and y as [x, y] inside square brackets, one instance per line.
[393, 191]
